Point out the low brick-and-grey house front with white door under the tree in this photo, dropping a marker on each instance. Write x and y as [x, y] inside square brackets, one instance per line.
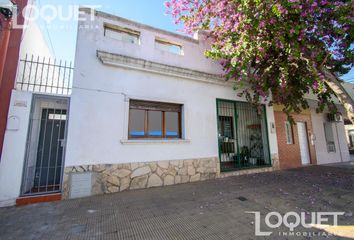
[317, 138]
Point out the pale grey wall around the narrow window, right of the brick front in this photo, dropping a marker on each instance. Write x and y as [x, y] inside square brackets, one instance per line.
[323, 156]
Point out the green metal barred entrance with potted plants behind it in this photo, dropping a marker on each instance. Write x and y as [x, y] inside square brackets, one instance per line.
[242, 136]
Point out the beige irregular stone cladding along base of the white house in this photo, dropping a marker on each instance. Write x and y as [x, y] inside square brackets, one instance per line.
[110, 178]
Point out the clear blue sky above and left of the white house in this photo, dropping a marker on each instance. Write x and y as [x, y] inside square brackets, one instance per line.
[61, 36]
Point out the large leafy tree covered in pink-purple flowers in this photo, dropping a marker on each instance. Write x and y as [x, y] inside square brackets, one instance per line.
[278, 49]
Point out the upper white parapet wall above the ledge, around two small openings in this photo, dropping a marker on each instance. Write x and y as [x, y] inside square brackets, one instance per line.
[92, 33]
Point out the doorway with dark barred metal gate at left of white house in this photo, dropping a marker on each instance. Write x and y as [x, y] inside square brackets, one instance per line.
[45, 146]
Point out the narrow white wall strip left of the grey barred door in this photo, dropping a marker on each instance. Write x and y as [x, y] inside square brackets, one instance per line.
[14, 148]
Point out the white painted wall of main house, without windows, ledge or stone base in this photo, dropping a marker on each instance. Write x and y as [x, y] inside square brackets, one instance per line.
[98, 124]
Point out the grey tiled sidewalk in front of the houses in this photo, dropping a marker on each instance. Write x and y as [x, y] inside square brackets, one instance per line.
[205, 210]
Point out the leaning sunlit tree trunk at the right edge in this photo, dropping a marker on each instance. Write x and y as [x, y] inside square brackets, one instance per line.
[334, 83]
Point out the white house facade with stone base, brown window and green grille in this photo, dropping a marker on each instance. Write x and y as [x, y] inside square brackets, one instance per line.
[145, 109]
